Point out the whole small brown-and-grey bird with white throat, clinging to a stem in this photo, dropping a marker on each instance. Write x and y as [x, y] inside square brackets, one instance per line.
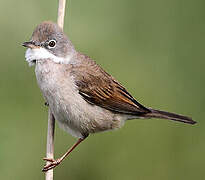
[83, 97]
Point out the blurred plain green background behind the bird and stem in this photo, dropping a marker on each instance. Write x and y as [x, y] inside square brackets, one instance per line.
[155, 48]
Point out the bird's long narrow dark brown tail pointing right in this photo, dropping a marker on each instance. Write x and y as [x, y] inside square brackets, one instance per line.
[167, 115]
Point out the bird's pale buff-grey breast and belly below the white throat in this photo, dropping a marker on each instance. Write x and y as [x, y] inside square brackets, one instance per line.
[73, 113]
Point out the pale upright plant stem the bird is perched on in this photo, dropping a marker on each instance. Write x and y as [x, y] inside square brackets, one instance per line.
[51, 119]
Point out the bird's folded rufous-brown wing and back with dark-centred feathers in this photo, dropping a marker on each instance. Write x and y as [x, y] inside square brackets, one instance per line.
[99, 88]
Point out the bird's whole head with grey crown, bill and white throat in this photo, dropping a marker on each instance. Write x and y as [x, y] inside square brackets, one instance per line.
[48, 41]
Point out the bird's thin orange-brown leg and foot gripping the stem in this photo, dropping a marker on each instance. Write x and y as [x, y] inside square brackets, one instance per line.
[53, 163]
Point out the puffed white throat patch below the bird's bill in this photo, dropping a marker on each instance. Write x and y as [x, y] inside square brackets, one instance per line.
[37, 54]
